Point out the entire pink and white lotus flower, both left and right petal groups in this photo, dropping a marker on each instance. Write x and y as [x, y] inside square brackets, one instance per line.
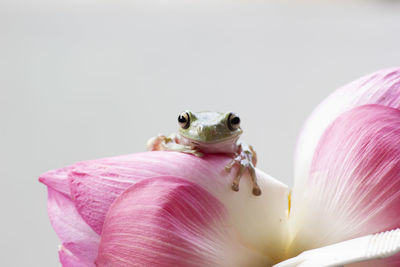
[174, 209]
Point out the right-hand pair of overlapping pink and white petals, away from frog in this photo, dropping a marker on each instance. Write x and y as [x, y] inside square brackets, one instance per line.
[347, 171]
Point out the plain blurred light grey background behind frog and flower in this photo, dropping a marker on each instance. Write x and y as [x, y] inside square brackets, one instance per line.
[87, 79]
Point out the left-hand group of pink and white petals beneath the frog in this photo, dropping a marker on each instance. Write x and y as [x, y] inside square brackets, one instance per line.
[155, 208]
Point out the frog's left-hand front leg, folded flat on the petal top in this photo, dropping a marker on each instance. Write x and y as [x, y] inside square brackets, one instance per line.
[170, 143]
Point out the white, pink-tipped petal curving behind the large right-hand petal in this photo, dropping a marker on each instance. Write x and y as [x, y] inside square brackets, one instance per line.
[381, 87]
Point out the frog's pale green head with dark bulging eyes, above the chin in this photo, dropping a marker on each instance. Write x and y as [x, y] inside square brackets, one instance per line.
[209, 127]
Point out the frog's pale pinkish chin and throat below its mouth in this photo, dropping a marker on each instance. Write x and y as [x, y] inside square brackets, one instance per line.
[228, 145]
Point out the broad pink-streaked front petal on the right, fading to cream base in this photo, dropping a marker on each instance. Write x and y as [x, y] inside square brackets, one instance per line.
[354, 183]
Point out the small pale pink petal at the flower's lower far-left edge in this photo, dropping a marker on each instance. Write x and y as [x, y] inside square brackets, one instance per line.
[77, 237]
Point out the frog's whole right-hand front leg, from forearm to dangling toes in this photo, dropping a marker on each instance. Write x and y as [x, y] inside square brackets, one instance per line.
[246, 159]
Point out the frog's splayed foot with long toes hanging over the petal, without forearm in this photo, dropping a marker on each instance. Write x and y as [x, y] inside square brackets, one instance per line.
[244, 163]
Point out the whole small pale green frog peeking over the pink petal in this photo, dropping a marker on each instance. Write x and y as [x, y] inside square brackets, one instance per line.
[205, 132]
